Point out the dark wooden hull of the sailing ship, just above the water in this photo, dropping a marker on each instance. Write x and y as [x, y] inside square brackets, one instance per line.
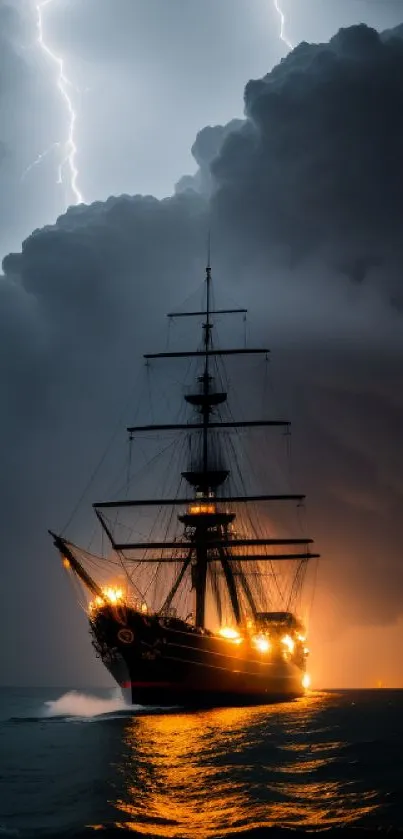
[168, 662]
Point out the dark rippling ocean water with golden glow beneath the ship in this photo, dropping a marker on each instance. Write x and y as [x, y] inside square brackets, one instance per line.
[70, 762]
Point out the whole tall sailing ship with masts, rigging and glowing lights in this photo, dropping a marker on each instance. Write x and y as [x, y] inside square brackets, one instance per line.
[194, 599]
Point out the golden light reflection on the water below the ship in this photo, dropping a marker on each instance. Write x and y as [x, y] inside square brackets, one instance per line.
[220, 771]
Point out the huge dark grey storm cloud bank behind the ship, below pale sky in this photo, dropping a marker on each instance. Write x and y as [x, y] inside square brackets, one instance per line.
[304, 198]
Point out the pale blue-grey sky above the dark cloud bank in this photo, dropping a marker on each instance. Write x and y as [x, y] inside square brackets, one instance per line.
[146, 76]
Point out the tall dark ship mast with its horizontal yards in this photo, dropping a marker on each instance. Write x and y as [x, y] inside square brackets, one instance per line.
[207, 534]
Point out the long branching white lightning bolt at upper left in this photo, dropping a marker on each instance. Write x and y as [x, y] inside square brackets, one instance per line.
[63, 84]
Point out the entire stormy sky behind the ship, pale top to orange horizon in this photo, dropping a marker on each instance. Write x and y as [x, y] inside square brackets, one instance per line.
[304, 192]
